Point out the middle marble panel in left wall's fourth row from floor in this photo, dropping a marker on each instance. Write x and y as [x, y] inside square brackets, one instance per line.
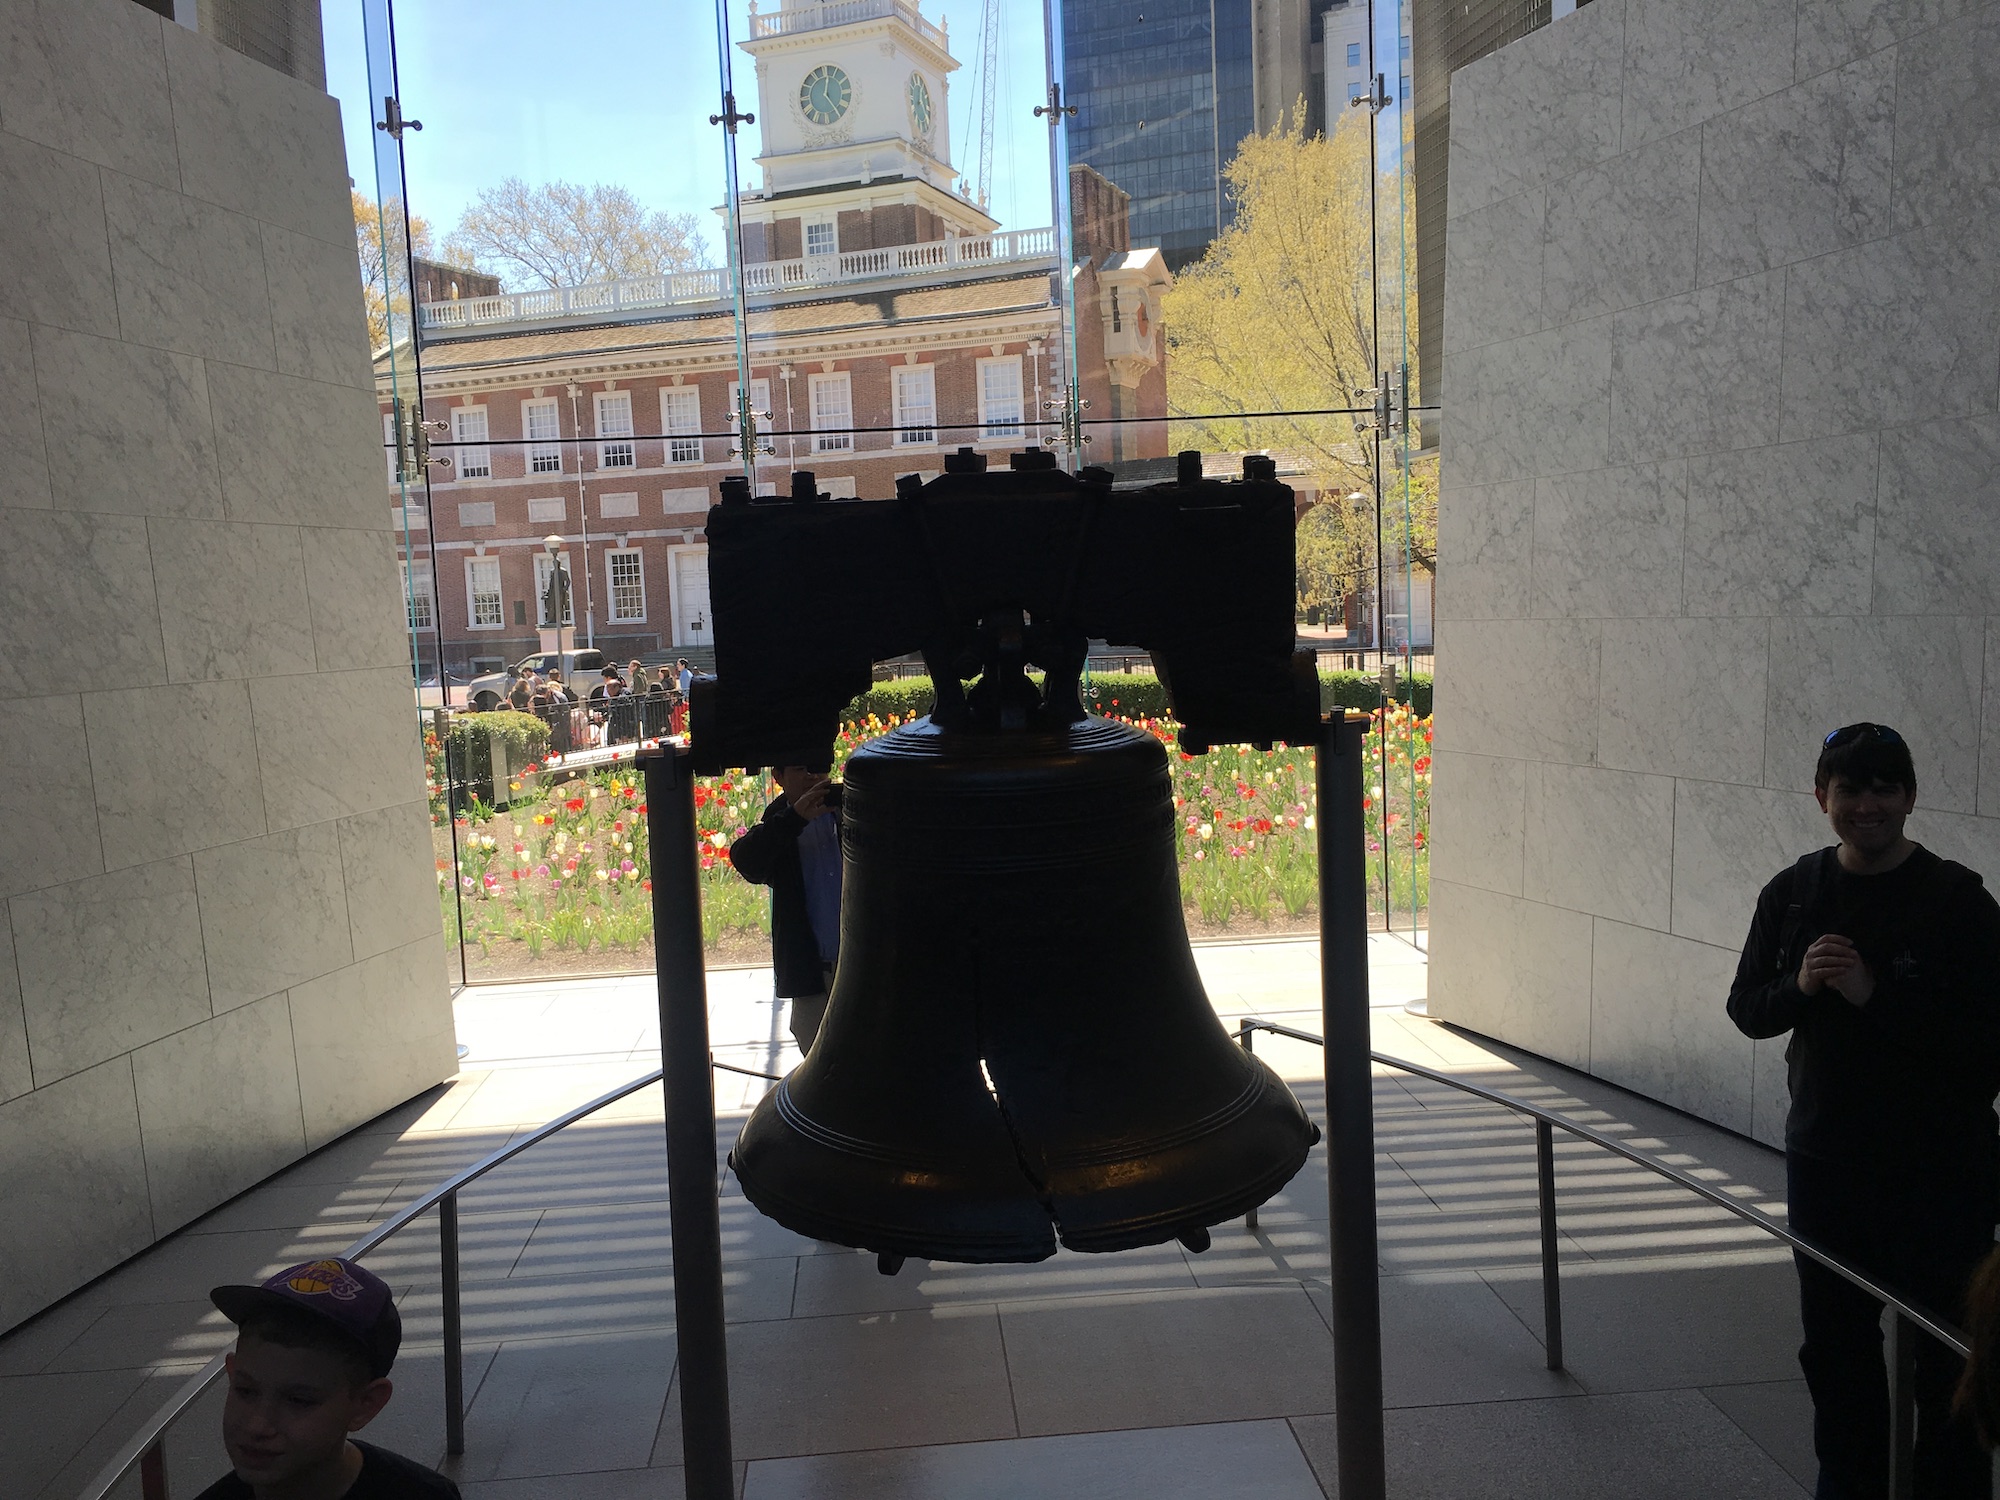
[233, 599]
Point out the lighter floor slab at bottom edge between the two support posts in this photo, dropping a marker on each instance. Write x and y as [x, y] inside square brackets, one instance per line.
[1235, 1461]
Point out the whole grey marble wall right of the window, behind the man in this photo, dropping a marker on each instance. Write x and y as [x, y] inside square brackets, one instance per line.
[1721, 471]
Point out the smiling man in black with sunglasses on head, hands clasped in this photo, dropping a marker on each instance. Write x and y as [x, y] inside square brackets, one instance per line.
[1883, 961]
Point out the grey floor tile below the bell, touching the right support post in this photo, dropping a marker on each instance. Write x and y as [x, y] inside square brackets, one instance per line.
[1163, 1359]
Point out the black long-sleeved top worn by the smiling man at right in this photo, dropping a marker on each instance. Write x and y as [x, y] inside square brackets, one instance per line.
[1909, 1081]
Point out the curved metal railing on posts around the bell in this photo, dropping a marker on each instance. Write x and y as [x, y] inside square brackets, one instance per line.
[147, 1449]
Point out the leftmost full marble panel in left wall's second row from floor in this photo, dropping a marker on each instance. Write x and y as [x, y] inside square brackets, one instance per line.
[109, 965]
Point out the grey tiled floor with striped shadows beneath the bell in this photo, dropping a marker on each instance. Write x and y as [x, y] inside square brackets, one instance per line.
[1153, 1373]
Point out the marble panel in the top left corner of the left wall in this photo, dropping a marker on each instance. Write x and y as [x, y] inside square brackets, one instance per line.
[89, 79]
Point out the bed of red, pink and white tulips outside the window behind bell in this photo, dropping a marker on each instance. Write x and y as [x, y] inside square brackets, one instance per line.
[565, 871]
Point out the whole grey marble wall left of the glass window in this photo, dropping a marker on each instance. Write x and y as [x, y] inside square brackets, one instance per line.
[219, 939]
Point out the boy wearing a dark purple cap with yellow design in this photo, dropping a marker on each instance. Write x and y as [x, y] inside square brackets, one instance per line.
[315, 1347]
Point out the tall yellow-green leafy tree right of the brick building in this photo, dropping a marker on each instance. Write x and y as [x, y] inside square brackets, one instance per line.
[1279, 319]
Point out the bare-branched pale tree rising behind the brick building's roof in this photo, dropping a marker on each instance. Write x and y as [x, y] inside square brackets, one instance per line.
[567, 235]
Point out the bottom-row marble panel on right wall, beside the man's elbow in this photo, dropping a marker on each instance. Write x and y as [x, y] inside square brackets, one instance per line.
[1659, 1023]
